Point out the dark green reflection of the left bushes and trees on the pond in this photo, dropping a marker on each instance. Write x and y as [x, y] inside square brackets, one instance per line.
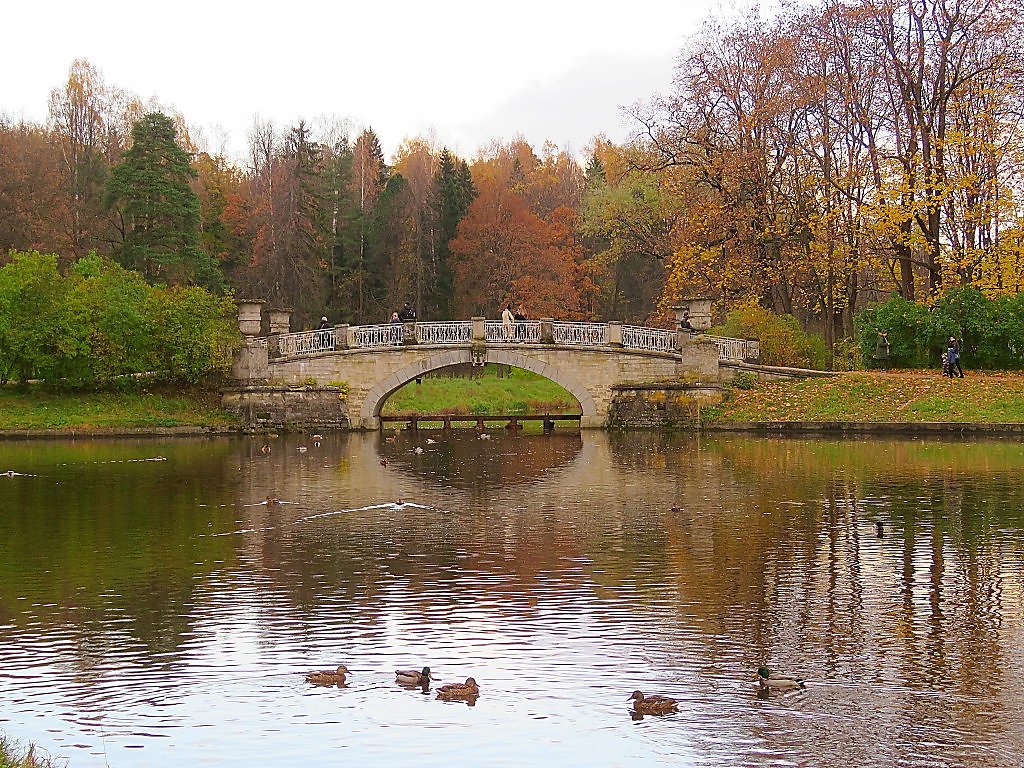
[105, 544]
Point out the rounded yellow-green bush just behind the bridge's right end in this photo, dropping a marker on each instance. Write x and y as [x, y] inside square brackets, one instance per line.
[783, 342]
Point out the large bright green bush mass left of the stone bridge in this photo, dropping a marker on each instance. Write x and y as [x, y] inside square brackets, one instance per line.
[100, 325]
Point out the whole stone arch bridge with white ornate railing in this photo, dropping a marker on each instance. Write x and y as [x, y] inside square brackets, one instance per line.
[591, 361]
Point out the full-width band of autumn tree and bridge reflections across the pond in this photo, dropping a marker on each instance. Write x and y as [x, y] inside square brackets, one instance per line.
[764, 546]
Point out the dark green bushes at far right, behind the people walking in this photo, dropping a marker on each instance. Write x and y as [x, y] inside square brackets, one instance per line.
[991, 331]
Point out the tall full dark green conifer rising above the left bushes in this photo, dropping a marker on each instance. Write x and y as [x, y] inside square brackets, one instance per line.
[159, 212]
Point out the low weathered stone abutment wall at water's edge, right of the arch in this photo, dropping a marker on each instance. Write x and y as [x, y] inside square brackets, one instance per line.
[661, 407]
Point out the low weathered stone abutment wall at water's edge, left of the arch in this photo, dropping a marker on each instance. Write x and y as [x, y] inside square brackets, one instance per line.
[289, 408]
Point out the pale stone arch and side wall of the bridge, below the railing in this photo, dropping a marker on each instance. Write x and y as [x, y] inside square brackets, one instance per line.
[589, 374]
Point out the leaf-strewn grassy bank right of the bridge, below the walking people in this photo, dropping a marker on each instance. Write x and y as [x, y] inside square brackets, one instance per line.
[910, 397]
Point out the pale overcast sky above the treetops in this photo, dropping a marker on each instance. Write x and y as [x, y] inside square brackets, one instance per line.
[463, 72]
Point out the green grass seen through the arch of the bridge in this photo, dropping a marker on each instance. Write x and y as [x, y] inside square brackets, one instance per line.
[520, 394]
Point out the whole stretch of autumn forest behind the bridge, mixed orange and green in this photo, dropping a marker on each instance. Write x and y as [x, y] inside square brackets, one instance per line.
[809, 164]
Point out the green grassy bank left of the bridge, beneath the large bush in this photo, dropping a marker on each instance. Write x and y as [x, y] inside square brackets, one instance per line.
[41, 410]
